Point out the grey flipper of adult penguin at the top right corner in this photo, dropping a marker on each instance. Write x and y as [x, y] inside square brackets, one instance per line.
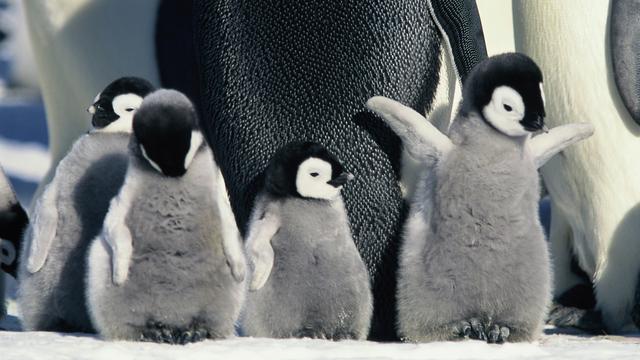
[625, 52]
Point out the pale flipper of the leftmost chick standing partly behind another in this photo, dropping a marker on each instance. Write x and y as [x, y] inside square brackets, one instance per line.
[43, 230]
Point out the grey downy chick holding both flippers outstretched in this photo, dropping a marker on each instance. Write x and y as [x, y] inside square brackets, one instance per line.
[474, 262]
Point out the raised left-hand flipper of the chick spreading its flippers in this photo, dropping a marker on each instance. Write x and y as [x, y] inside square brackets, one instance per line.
[420, 138]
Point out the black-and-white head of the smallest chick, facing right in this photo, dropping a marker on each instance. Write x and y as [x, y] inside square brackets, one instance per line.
[305, 169]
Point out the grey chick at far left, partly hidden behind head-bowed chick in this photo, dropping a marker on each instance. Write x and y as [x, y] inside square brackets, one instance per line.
[70, 211]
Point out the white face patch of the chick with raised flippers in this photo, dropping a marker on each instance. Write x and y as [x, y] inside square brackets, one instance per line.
[505, 111]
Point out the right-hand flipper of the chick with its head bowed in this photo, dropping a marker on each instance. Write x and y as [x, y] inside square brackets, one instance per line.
[231, 239]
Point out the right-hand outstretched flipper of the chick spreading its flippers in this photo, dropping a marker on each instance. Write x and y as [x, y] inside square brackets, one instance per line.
[546, 145]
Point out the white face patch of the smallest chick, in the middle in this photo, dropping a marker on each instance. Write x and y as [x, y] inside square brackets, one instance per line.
[312, 177]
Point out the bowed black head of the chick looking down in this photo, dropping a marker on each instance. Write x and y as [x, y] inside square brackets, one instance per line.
[166, 129]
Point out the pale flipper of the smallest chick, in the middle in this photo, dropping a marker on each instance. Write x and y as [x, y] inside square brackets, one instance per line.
[259, 247]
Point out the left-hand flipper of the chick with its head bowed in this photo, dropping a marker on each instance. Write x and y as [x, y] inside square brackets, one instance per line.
[116, 233]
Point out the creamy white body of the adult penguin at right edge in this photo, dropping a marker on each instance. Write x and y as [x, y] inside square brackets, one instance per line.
[594, 186]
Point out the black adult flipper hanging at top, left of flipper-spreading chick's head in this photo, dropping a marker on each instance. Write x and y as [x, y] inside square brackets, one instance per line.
[460, 25]
